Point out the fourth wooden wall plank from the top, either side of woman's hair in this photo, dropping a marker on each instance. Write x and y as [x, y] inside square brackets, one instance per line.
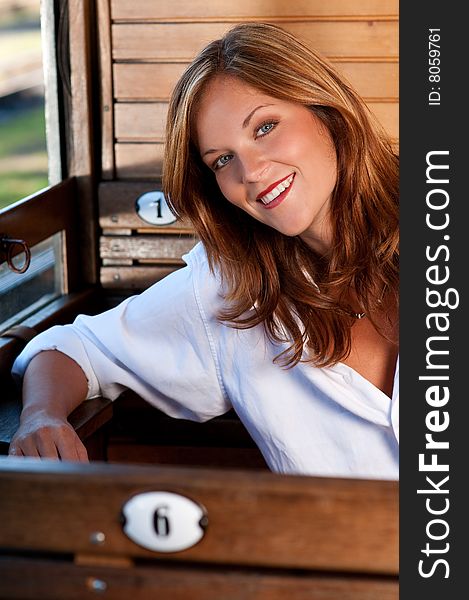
[145, 121]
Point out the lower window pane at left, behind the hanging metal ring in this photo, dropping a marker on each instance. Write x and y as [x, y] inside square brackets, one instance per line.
[23, 293]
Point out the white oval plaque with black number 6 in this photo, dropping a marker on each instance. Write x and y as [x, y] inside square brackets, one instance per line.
[164, 521]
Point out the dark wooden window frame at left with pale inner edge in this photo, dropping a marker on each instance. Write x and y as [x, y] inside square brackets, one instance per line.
[69, 204]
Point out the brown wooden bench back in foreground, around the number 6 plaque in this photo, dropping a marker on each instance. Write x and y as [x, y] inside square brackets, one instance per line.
[266, 536]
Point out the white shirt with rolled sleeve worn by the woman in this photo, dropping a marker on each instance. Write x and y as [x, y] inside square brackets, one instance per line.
[168, 346]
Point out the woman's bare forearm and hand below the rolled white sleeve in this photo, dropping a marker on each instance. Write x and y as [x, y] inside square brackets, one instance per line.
[54, 385]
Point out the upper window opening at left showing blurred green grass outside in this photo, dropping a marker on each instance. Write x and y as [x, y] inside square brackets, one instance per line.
[23, 152]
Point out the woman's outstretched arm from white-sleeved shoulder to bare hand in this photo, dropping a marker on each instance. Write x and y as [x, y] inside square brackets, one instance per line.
[156, 344]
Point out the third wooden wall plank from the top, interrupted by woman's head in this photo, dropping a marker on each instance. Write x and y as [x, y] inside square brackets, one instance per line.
[155, 82]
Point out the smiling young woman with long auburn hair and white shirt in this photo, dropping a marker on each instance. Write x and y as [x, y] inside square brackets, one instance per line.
[287, 310]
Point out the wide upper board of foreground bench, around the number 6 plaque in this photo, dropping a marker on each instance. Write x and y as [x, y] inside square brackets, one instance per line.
[260, 518]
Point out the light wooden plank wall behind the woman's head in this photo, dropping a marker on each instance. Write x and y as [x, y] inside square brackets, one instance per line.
[144, 47]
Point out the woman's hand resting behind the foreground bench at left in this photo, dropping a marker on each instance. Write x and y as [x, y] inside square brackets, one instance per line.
[43, 435]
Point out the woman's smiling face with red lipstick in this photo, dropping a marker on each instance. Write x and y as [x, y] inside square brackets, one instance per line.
[272, 158]
